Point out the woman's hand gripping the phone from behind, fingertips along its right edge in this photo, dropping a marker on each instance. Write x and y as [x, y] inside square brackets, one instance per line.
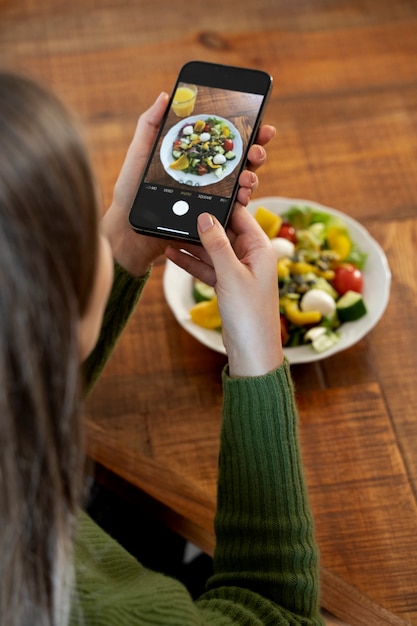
[136, 252]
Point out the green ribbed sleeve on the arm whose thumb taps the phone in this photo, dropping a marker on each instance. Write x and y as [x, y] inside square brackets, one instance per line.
[266, 559]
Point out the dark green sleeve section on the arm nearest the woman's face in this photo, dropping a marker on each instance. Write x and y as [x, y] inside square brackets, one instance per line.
[124, 295]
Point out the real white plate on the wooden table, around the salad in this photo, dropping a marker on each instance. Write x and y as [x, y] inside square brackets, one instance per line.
[377, 280]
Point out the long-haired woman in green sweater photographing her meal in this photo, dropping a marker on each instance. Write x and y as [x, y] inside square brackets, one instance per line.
[57, 273]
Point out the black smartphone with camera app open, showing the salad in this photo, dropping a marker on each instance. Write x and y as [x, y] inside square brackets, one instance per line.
[211, 122]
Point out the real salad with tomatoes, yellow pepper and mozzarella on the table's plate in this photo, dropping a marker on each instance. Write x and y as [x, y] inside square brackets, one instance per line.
[319, 273]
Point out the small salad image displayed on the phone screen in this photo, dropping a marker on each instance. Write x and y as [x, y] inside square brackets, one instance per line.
[203, 147]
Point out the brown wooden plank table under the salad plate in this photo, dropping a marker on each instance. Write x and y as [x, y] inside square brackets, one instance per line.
[345, 105]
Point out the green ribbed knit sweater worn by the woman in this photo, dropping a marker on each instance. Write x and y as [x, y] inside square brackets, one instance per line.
[266, 559]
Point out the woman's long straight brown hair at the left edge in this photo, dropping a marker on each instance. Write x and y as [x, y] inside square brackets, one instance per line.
[48, 251]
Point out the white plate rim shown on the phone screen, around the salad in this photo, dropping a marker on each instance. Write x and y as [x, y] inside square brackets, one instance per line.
[193, 179]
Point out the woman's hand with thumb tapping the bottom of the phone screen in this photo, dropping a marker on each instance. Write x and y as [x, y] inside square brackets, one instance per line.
[241, 265]
